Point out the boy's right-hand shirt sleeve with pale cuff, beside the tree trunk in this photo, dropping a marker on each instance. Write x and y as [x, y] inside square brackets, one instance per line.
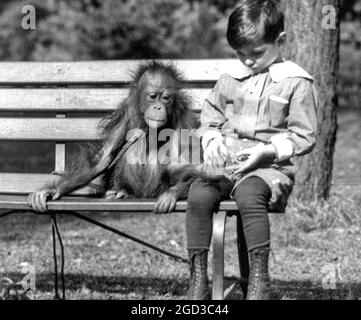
[300, 137]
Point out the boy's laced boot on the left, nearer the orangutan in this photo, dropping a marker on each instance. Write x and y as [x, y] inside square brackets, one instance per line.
[198, 287]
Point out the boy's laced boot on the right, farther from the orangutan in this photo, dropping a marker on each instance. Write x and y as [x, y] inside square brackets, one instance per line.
[259, 282]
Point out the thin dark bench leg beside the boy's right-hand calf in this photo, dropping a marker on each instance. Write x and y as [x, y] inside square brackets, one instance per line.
[242, 256]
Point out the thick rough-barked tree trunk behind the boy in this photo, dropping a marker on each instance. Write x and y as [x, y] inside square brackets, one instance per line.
[316, 48]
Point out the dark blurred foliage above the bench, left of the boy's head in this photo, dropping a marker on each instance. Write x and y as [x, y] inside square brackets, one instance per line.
[128, 29]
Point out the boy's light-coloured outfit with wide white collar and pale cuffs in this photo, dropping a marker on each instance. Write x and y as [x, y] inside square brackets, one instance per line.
[277, 106]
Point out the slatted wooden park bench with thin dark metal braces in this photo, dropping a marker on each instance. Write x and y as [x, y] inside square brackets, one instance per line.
[73, 97]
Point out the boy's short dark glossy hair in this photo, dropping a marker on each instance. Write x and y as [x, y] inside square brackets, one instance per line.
[255, 20]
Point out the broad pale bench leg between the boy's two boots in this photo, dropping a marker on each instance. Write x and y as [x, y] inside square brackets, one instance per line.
[218, 255]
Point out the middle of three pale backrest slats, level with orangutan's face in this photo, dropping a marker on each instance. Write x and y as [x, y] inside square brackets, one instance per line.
[75, 100]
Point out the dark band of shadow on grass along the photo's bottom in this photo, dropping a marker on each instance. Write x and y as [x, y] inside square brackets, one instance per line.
[148, 287]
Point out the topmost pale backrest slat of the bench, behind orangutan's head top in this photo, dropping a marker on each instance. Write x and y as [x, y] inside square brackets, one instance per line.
[90, 72]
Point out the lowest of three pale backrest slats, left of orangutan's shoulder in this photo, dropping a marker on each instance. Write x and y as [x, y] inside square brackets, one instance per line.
[49, 129]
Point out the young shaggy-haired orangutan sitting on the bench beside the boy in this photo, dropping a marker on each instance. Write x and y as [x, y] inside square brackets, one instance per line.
[155, 102]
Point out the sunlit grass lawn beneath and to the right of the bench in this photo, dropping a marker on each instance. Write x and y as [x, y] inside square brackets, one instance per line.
[306, 251]
